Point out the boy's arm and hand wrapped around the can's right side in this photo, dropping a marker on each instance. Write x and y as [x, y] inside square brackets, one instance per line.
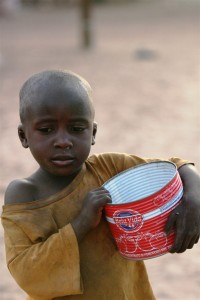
[186, 216]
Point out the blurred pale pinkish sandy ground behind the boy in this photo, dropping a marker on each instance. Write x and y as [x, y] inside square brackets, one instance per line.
[144, 69]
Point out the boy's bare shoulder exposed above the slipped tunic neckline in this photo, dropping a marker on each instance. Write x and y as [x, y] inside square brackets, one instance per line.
[20, 191]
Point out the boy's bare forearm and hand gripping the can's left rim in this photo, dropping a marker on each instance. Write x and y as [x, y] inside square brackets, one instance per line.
[91, 212]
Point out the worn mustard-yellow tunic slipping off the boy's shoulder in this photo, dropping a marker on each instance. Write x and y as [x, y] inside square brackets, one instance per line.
[42, 250]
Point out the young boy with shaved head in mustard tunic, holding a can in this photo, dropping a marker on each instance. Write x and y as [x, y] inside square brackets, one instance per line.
[58, 244]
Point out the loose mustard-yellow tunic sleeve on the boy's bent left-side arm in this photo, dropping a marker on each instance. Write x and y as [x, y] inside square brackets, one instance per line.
[44, 269]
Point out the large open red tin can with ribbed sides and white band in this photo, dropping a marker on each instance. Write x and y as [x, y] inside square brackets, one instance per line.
[142, 199]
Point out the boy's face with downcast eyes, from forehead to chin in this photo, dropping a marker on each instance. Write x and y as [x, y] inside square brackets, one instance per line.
[59, 130]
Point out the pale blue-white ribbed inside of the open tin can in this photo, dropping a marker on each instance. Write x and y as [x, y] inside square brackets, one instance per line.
[140, 182]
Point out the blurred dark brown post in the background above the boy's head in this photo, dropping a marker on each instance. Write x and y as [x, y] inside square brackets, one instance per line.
[86, 18]
